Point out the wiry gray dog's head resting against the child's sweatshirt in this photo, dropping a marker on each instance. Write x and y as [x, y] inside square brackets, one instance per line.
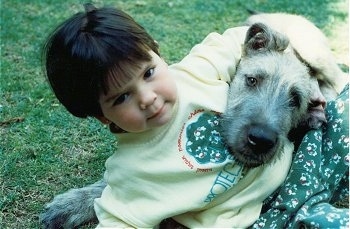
[271, 94]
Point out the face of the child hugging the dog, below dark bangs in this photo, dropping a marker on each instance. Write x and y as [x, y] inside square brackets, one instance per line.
[145, 102]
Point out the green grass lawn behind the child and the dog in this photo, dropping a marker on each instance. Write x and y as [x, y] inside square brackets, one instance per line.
[43, 149]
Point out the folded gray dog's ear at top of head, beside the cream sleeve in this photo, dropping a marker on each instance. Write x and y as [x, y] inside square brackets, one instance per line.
[261, 38]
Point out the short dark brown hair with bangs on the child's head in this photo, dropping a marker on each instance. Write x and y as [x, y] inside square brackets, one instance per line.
[81, 53]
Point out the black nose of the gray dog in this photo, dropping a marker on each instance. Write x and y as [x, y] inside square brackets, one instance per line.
[261, 138]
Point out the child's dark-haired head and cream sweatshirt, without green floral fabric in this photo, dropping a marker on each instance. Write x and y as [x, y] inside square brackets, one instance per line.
[171, 160]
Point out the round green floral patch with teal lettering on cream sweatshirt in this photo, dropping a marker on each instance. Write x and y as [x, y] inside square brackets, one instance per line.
[203, 149]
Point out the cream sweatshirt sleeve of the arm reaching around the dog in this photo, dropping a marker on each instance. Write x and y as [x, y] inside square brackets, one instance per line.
[216, 57]
